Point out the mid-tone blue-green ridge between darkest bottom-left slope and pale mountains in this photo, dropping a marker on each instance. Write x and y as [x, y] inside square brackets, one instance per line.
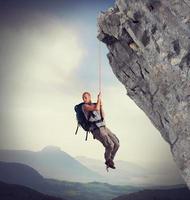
[16, 173]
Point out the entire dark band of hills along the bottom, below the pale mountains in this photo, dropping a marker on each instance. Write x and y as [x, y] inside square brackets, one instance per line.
[30, 184]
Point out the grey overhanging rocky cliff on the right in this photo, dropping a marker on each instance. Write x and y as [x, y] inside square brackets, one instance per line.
[149, 52]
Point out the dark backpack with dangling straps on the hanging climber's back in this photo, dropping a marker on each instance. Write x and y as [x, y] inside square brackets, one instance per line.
[81, 119]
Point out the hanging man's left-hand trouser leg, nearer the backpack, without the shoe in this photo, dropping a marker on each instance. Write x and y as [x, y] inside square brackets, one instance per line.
[102, 135]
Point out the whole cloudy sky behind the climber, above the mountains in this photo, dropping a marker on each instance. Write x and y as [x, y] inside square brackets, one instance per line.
[48, 58]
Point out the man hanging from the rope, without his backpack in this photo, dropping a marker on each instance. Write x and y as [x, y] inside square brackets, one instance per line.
[94, 113]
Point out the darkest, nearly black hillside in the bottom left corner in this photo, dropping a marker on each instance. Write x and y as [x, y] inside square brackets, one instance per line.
[18, 192]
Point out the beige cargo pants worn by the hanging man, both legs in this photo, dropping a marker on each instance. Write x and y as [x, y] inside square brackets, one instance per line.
[109, 141]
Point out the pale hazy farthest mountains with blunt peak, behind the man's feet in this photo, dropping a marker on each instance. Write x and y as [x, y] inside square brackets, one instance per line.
[54, 163]
